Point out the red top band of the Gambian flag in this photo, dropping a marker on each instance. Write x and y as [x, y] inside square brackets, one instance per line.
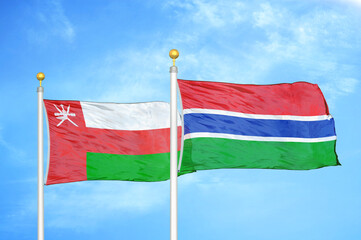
[300, 98]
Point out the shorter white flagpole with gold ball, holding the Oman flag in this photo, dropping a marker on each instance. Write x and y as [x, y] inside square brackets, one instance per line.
[40, 76]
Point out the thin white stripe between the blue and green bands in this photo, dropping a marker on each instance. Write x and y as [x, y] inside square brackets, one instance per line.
[256, 138]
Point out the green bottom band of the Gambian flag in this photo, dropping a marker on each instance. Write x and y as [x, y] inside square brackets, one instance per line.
[215, 153]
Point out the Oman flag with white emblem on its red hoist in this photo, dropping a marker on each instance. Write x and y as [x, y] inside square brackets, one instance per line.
[108, 141]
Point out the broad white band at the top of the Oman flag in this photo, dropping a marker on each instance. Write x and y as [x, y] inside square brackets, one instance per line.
[134, 116]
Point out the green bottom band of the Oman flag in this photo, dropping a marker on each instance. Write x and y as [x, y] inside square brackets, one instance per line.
[143, 168]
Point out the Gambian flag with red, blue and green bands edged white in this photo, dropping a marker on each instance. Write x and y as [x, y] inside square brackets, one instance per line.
[281, 126]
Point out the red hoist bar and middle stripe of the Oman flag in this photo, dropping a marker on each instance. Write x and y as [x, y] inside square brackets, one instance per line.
[69, 144]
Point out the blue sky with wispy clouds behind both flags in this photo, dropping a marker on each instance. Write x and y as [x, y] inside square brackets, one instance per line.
[118, 51]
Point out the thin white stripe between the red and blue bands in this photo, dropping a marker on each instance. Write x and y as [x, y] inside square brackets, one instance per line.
[257, 116]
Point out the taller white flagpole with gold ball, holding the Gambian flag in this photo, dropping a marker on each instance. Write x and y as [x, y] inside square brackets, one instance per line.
[173, 148]
